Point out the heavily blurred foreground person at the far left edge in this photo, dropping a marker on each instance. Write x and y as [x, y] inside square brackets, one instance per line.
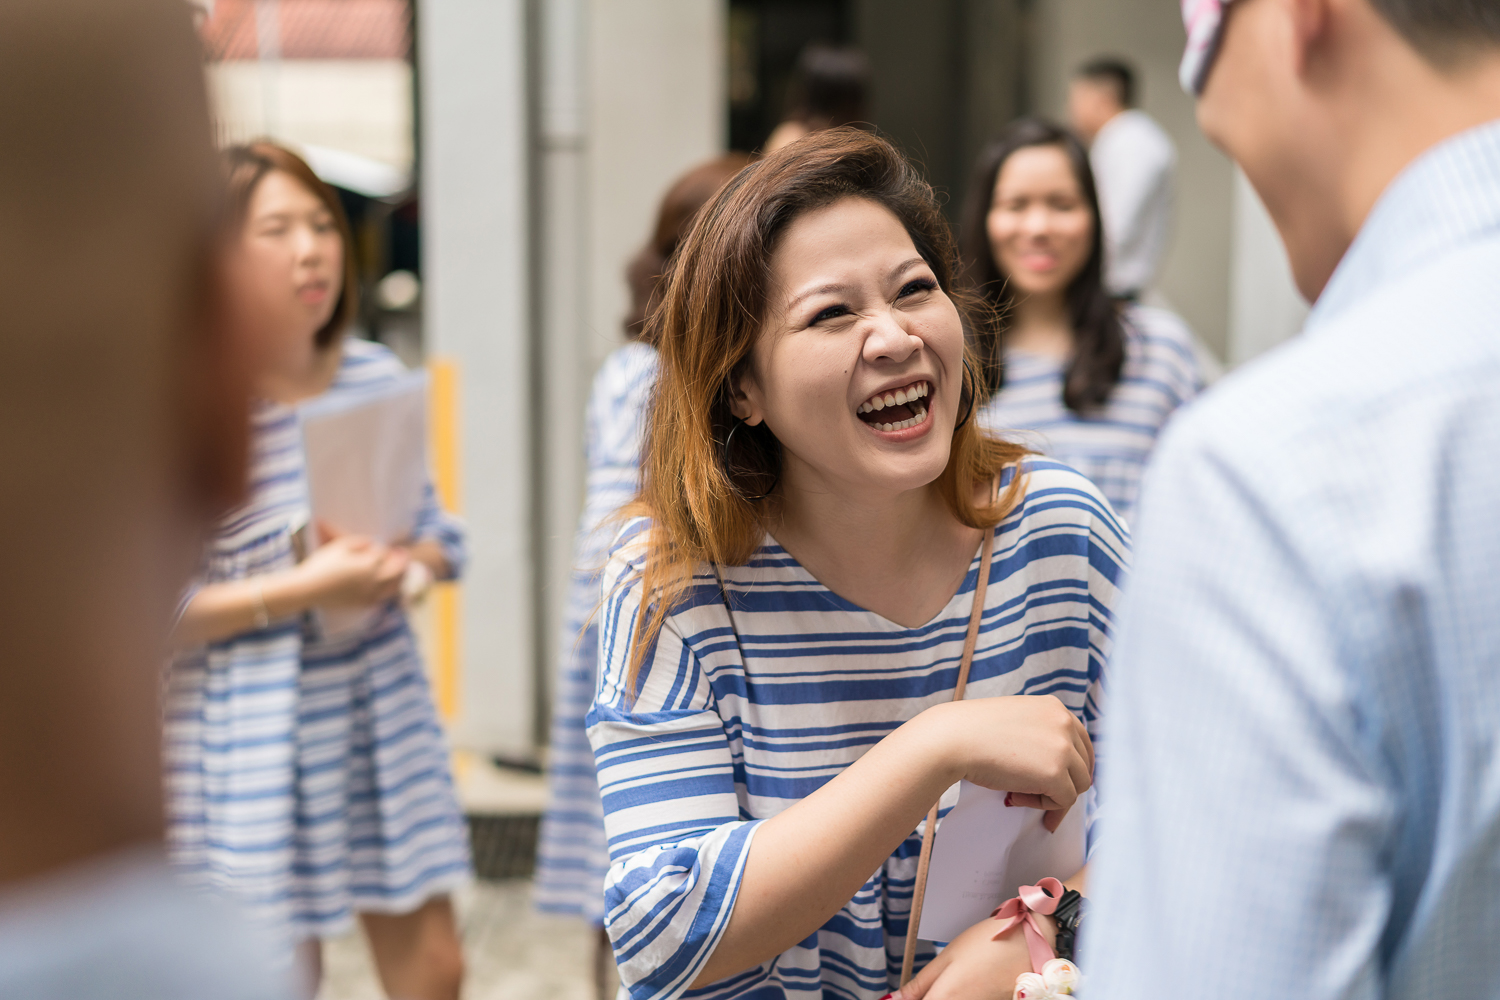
[122, 434]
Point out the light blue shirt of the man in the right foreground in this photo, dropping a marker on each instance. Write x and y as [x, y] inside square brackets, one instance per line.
[1304, 777]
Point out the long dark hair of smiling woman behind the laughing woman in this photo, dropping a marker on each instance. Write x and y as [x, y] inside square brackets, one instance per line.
[1099, 337]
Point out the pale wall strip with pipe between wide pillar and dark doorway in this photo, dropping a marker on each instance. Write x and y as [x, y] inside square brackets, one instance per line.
[634, 95]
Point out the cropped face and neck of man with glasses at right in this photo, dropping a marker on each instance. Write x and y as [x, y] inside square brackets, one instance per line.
[1322, 103]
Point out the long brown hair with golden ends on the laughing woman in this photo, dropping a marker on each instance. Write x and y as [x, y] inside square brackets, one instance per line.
[712, 311]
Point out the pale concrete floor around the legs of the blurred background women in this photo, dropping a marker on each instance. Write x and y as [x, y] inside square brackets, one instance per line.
[512, 951]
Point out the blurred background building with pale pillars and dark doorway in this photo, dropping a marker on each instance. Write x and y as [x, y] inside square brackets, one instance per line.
[502, 161]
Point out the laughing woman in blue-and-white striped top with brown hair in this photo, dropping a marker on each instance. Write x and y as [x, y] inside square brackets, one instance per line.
[787, 612]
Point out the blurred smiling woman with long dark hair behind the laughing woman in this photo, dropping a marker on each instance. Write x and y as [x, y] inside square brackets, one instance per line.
[1094, 377]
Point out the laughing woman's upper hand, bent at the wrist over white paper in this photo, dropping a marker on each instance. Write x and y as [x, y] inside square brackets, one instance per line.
[1028, 746]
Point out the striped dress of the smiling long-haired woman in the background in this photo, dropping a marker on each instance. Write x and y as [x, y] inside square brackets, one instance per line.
[1112, 445]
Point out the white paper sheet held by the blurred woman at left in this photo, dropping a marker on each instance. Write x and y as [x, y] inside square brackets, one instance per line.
[368, 467]
